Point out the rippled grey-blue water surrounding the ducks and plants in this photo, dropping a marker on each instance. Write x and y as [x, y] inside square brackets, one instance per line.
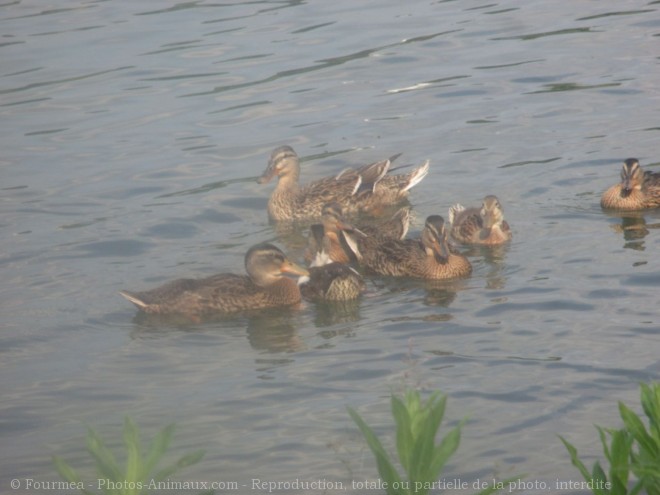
[132, 133]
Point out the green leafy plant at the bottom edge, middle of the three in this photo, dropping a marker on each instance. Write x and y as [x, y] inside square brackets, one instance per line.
[419, 455]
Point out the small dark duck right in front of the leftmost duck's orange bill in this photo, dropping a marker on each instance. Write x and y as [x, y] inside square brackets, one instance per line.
[329, 280]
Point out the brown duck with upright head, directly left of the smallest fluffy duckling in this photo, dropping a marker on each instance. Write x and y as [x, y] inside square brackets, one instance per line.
[429, 257]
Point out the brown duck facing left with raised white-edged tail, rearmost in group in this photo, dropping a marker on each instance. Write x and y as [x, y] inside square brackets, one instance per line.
[364, 189]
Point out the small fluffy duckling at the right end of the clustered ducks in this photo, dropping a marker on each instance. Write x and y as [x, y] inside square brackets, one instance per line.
[485, 225]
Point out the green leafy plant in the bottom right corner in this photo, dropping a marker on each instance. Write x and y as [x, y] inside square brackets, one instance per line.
[631, 451]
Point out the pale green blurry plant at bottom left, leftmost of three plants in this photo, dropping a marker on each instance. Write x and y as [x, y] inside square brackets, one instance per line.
[139, 474]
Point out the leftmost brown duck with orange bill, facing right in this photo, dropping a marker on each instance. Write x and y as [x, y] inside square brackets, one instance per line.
[263, 287]
